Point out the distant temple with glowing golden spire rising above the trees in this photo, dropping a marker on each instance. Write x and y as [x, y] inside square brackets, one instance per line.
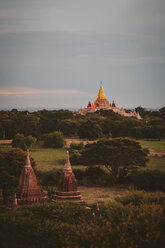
[102, 103]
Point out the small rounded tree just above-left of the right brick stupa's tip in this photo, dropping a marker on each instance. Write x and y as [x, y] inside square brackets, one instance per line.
[54, 140]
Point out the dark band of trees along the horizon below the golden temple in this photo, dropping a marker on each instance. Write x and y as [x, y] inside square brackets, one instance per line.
[103, 123]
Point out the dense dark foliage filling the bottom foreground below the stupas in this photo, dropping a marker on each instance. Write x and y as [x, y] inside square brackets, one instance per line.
[71, 225]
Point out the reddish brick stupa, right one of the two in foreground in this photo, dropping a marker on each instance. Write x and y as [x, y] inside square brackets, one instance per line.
[67, 187]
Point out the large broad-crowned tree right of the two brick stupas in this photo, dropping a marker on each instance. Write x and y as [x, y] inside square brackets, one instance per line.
[115, 154]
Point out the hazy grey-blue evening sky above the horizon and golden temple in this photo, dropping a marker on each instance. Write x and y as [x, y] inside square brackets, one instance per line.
[54, 53]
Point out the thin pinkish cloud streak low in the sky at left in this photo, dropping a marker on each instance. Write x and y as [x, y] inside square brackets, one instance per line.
[17, 91]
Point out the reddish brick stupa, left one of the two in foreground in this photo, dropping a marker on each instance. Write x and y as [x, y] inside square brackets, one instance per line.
[28, 191]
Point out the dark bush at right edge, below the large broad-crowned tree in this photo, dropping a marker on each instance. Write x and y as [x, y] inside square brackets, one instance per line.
[150, 180]
